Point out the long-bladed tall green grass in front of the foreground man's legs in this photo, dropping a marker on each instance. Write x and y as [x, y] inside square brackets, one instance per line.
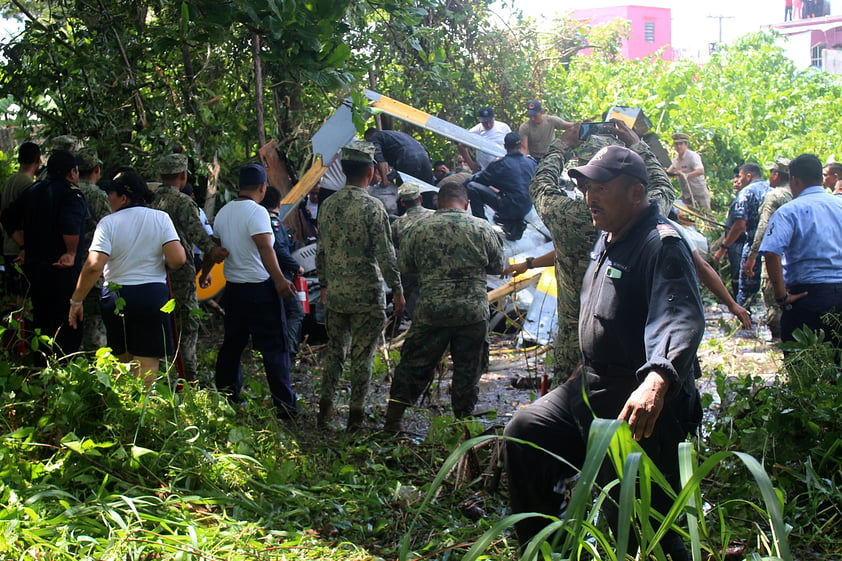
[585, 538]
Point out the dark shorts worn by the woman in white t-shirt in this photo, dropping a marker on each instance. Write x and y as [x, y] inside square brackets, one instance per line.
[138, 326]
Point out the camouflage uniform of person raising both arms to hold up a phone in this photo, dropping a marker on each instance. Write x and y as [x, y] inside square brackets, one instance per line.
[569, 221]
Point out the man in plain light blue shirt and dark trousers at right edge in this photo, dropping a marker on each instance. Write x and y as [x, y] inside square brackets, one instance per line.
[803, 251]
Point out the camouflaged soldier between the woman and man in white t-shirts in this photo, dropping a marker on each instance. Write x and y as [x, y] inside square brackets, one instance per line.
[185, 216]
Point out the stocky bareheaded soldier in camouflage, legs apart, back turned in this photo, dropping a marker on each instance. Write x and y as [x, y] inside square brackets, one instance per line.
[451, 252]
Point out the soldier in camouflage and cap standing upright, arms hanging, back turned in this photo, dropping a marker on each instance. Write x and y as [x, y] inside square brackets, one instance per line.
[355, 246]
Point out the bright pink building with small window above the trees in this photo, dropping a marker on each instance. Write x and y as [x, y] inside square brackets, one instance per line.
[651, 28]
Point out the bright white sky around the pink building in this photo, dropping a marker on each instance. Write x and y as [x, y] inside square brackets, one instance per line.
[692, 27]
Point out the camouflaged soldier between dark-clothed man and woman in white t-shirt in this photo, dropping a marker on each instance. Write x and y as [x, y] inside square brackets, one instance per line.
[90, 169]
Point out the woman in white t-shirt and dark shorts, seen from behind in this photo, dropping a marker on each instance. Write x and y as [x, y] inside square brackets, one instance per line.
[133, 246]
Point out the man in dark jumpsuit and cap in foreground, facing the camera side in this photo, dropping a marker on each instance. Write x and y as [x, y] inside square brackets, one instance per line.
[640, 324]
